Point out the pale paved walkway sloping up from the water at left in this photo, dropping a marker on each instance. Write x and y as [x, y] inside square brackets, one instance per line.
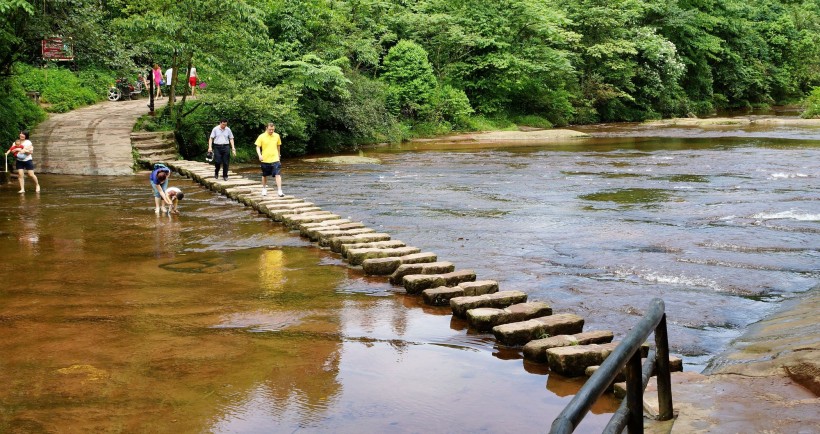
[94, 140]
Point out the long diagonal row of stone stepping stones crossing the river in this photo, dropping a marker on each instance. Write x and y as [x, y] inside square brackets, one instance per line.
[555, 339]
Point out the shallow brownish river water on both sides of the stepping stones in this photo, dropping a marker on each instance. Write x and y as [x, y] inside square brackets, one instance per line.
[219, 320]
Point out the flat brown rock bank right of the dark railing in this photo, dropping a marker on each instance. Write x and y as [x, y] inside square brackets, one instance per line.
[767, 381]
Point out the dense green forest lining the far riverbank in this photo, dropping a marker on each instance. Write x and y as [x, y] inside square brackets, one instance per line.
[335, 74]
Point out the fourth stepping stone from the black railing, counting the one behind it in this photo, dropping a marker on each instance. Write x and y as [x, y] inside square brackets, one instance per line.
[519, 333]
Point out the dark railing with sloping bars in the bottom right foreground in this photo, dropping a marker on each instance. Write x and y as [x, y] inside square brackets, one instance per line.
[627, 355]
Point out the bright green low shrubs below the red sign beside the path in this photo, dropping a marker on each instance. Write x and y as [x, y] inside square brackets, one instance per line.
[60, 89]
